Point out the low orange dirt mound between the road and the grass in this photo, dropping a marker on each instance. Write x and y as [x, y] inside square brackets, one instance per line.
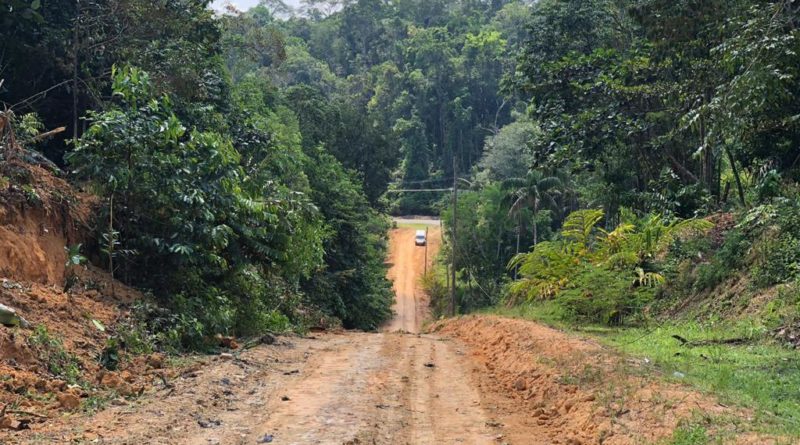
[577, 392]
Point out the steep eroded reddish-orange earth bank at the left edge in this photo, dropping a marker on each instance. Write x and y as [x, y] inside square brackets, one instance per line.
[54, 365]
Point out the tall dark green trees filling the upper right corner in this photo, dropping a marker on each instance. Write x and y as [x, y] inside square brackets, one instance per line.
[665, 106]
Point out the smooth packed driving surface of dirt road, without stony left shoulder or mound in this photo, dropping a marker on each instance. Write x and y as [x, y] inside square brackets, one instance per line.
[387, 388]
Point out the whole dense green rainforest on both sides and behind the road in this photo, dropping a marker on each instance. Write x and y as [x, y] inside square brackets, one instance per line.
[609, 153]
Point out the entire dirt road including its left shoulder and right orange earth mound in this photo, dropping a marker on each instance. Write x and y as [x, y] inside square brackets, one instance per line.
[482, 380]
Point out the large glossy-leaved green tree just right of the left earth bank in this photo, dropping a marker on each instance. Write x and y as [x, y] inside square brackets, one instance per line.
[186, 202]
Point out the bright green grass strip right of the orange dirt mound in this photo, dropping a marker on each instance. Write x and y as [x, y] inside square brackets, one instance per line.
[758, 374]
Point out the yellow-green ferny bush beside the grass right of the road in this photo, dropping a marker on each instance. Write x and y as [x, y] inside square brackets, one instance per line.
[599, 276]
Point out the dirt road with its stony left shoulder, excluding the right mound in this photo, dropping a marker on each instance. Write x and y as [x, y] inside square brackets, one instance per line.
[393, 387]
